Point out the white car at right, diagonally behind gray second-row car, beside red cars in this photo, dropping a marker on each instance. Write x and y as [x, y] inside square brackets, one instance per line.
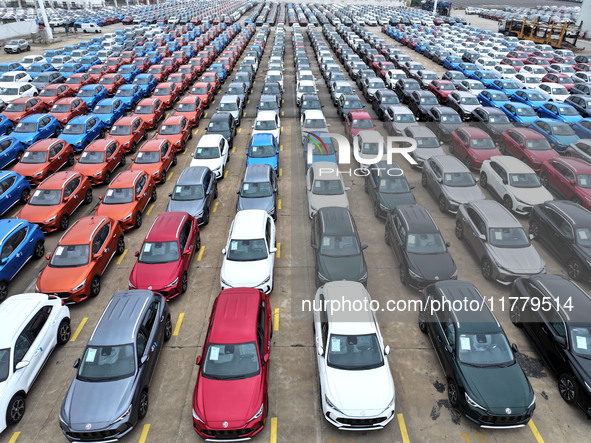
[513, 183]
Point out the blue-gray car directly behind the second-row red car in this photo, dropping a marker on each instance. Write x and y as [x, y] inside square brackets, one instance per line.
[194, 193]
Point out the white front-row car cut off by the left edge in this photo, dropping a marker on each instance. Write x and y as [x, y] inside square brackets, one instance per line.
[31, 327]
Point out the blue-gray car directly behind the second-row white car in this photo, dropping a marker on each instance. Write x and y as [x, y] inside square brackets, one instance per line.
[258, 189]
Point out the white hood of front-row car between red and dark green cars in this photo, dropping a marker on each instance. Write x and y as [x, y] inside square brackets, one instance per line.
[366, 392]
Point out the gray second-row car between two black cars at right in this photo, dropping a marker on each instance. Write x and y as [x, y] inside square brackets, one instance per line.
[498, 241]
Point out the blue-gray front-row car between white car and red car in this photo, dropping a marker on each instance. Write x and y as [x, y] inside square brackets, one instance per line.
[109, 394]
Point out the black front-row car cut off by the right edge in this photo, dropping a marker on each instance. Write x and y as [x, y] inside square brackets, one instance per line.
[555, 314]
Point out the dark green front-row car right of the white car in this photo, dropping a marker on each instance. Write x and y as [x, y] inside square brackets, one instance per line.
[484, 380]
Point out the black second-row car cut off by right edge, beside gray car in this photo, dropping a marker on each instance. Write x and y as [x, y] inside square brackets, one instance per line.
[564, 227]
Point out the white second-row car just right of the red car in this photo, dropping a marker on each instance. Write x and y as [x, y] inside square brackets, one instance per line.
[249, 255]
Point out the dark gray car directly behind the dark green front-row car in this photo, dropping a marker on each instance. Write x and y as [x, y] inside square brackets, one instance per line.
[419, 247]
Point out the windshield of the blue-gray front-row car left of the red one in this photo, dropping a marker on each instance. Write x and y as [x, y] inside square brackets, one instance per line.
[103, 363]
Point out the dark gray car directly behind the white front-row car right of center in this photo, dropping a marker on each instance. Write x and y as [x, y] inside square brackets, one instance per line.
[337, 249]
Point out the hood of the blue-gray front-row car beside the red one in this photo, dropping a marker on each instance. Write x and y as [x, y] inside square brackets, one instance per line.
[97, 403]
